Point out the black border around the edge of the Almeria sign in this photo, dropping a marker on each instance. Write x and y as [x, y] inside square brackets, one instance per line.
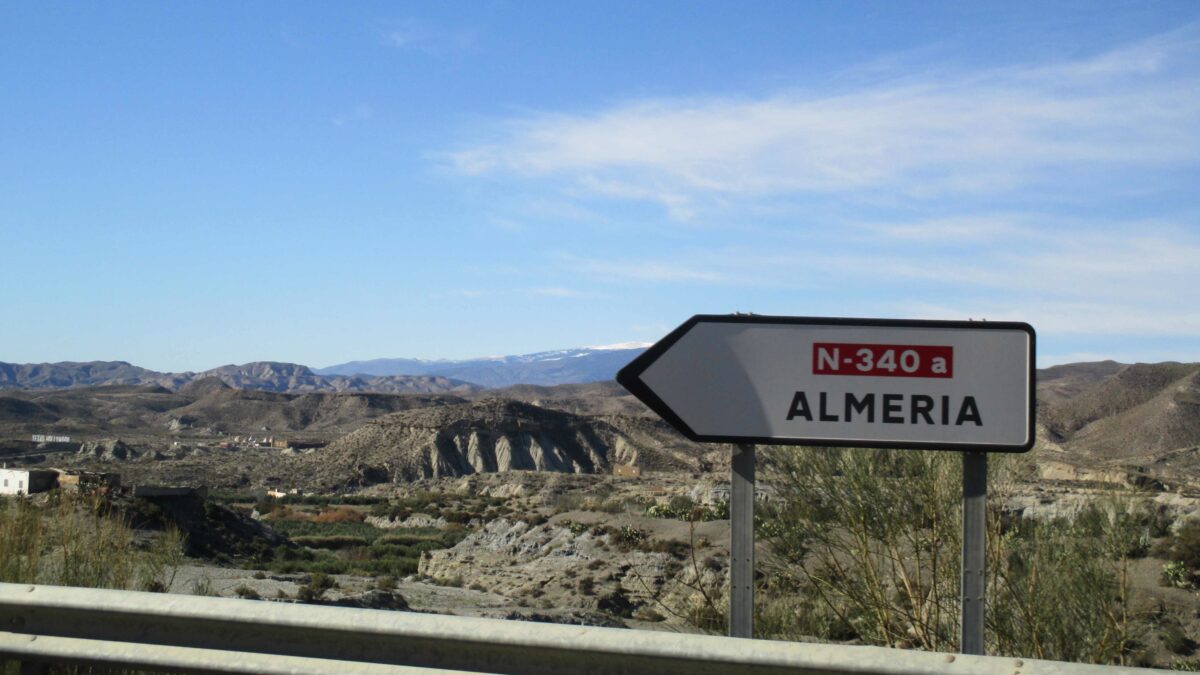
[631, 379]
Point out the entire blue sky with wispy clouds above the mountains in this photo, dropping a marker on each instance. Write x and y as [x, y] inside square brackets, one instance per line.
[190, 184]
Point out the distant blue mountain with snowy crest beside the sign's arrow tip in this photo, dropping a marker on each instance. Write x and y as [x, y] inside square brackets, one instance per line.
[559, 367]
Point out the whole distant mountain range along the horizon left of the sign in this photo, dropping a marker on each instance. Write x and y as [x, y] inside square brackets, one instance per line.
[389, 377]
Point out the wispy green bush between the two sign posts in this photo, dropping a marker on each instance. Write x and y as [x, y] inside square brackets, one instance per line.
[871, 541]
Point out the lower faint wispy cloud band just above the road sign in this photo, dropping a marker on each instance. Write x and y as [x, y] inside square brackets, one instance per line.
[1126, 279]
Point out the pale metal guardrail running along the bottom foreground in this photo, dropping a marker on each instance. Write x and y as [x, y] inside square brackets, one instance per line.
[205, 635]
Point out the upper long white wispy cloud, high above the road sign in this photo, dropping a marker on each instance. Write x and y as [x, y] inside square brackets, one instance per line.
[923, 138]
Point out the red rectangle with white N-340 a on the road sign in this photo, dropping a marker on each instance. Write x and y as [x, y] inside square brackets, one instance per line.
[883, 361]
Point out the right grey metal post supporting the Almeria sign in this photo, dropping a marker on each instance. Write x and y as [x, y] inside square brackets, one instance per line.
[975, 539]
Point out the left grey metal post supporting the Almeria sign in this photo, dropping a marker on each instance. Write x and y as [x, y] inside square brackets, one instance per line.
[742, 543]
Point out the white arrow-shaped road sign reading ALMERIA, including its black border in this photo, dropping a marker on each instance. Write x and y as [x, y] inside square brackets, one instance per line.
[843, 383]
